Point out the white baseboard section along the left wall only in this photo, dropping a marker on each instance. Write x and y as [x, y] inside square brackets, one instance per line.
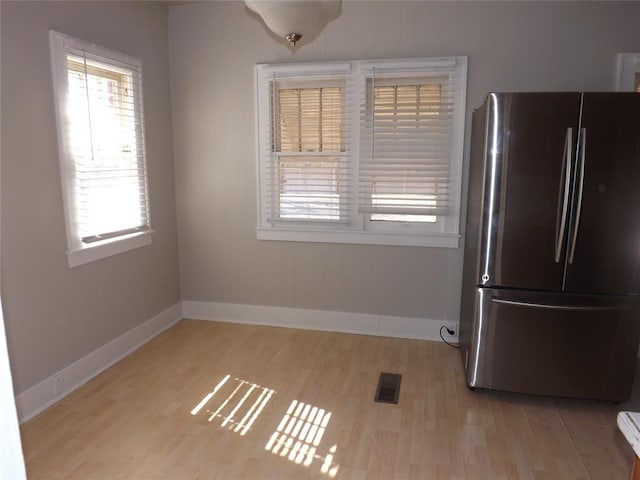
[41, 396]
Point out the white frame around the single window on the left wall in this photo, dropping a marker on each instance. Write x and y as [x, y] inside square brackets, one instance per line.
[79, 252]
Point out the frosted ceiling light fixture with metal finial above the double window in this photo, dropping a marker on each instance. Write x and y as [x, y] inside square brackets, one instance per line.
[295, 19]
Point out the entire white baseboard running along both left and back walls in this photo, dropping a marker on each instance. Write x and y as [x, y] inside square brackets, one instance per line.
[41, 396]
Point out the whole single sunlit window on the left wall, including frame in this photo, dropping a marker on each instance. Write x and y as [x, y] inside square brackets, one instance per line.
[101, 146]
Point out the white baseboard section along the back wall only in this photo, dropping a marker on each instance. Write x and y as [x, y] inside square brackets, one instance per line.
[323, 320]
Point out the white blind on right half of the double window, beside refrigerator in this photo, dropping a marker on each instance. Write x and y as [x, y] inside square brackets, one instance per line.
[406, 139]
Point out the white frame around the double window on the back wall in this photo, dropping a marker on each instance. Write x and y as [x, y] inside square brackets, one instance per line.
[360, 230]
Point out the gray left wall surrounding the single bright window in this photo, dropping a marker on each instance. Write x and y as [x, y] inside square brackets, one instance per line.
[56, 315]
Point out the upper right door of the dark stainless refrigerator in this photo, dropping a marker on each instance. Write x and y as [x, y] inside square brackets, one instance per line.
[604, 247]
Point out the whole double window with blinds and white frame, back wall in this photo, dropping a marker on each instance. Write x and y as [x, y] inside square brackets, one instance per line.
[362, 151]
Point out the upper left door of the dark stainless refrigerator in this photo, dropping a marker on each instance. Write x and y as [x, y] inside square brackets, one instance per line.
[529, 165]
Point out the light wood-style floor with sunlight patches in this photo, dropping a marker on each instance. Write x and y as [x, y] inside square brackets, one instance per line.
[299, 404]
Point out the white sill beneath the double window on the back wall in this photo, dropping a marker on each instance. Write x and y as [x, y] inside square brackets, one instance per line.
[423, 239]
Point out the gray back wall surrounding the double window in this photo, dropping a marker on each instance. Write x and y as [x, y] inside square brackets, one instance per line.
[512, 46]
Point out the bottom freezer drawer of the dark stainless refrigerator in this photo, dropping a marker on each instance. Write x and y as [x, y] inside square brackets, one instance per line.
[553, 344]
